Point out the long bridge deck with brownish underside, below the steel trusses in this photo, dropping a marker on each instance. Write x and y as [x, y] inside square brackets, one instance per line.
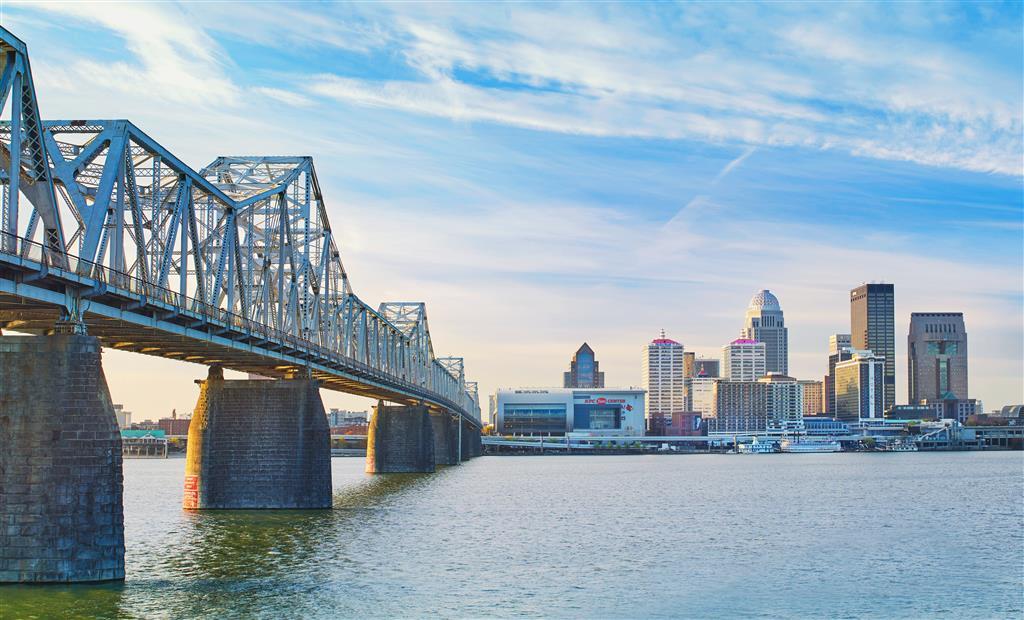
[32, 297]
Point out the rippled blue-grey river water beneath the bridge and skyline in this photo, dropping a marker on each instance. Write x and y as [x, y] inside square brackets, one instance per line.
[805, 535]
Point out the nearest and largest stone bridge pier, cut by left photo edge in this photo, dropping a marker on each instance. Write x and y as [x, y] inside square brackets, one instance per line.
[62, 518]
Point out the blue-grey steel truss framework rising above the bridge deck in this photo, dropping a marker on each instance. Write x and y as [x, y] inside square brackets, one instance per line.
[246, 239]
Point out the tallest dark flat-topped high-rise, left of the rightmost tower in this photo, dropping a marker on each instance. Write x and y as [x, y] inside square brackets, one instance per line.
[873, 327]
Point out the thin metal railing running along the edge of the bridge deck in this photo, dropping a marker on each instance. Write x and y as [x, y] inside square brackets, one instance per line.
[36, 253]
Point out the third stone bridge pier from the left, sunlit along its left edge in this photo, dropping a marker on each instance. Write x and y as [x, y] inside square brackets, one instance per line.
[401, 440]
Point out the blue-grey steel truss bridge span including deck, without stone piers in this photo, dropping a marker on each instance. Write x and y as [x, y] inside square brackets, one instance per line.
[106, 231]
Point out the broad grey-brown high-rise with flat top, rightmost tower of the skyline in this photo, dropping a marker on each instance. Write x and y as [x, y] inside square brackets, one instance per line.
[936, 357]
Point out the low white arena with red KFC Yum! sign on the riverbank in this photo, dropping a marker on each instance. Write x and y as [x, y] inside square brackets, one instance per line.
[557, 411]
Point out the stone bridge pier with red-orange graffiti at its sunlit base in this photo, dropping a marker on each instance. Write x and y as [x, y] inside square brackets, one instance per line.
[259, 444]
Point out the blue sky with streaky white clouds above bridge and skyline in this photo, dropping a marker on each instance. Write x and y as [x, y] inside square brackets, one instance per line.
[543, 175]
